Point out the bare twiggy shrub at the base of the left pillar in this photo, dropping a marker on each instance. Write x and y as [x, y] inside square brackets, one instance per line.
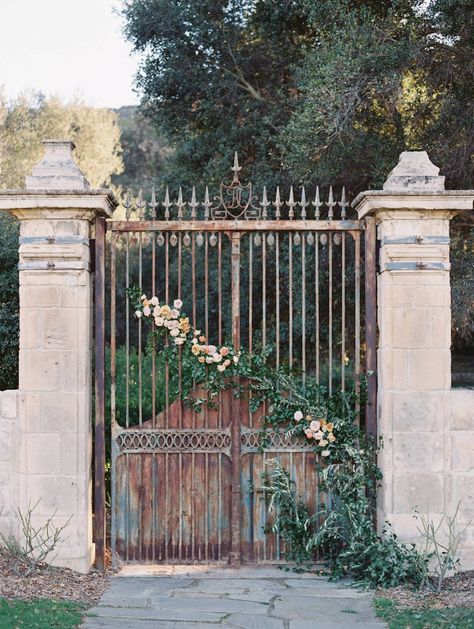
[36, 543]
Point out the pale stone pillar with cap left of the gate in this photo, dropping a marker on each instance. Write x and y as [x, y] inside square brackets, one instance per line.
[57, 212]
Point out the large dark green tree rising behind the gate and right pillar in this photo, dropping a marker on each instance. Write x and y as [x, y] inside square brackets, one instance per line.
[316, 92]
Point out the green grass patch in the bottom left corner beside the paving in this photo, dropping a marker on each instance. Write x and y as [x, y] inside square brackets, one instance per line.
[40, 614]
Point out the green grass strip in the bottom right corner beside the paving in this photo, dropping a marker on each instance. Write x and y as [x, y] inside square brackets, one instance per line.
[409, 618]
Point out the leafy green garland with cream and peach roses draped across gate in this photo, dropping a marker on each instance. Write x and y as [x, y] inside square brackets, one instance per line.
[342, 531]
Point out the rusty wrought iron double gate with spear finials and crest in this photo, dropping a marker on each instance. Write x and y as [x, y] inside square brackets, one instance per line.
[254, 273]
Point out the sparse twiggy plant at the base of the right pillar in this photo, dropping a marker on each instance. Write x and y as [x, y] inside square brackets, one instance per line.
[441, 549]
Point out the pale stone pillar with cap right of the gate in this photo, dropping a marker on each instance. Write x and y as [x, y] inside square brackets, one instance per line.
[412, 213]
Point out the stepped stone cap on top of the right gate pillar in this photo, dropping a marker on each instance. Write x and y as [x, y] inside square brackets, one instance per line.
[414, 172]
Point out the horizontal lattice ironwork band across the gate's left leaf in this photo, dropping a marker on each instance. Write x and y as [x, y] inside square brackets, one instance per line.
[170, 440]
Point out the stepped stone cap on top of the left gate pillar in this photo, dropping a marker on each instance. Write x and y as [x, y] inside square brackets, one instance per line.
[57, 170]
